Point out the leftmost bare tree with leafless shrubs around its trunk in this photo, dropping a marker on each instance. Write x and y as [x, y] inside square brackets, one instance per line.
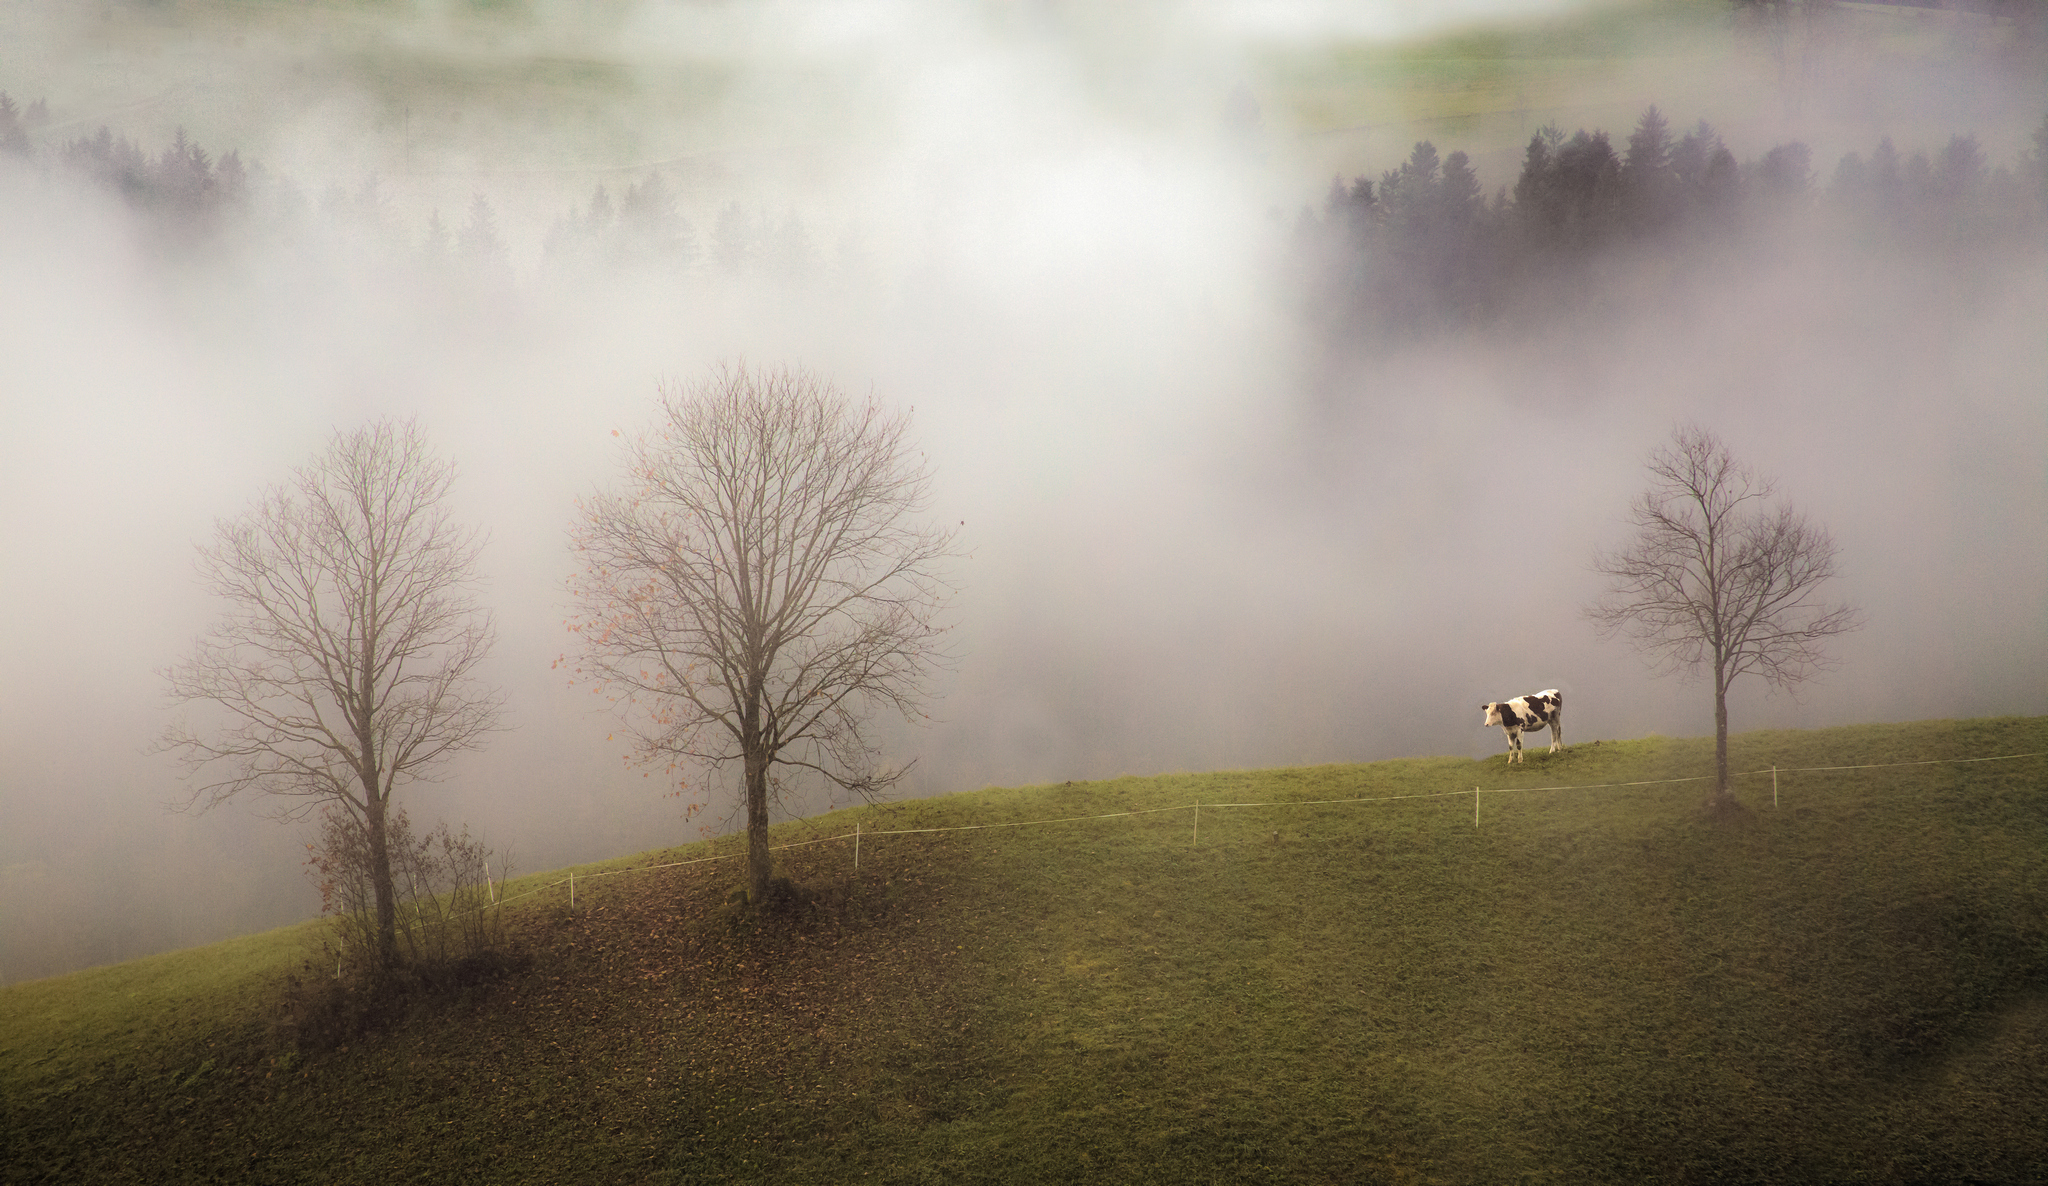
[345, 665]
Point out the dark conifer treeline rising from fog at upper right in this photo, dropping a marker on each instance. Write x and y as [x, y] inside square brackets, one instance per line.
[1424, 251]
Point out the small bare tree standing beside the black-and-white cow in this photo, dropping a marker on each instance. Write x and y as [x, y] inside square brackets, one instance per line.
[1721, 579]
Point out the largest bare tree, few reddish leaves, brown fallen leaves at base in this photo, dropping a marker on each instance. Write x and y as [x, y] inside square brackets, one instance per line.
[759, 587]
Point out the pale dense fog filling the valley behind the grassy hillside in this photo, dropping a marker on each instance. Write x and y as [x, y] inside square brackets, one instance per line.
[1205, 525]
